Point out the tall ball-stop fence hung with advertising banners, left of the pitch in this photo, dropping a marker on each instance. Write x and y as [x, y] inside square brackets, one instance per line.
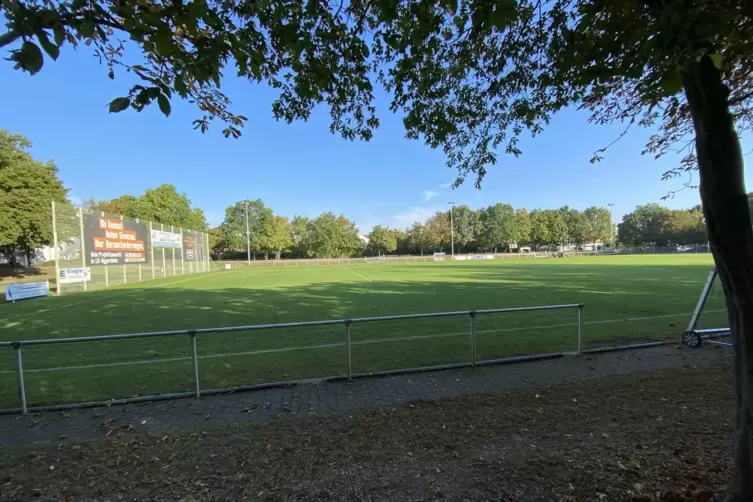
[94, 250]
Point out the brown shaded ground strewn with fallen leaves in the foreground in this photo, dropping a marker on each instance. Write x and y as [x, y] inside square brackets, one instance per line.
[619, 437]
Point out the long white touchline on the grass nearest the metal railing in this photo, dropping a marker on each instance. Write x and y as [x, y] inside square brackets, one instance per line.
[342, 344]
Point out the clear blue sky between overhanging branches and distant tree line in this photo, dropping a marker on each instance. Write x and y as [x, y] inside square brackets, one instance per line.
[302, 168]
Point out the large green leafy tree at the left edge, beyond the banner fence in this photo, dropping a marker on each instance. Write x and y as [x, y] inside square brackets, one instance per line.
[27, 188]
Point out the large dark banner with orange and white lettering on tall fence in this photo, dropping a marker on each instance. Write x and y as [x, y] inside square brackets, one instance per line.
[113, 242]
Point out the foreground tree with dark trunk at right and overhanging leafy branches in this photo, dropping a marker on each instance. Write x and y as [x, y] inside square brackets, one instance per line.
[471, 77]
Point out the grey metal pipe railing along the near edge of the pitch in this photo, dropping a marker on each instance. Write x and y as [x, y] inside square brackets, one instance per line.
[347, 323]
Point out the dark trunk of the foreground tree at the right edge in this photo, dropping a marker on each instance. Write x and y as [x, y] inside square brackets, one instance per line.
[729, 229]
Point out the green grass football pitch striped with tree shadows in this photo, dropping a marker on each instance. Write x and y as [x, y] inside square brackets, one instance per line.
[626, 298]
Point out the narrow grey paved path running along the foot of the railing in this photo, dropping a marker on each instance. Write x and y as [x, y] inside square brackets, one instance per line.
[340, 397]
